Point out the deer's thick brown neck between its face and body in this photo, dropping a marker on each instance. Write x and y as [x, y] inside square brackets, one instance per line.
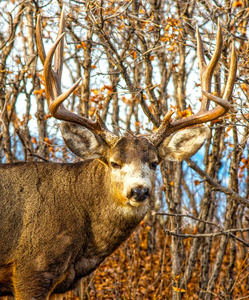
[112, 219]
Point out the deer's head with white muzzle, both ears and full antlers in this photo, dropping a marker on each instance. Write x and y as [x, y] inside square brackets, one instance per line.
[132, 160]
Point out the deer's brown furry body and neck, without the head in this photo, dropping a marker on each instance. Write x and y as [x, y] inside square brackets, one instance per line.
[56, 225]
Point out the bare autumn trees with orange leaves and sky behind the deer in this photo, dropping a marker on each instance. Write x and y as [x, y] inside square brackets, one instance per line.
[138, 60]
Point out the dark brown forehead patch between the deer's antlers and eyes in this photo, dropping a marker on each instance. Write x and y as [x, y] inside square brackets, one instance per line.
[129, 149]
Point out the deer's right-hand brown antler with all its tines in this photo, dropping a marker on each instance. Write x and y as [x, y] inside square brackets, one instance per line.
[206, 72]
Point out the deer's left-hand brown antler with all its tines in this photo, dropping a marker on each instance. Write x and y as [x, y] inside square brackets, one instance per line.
[52, 78]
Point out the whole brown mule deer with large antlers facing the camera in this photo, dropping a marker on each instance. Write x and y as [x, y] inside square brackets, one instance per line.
[60, 221]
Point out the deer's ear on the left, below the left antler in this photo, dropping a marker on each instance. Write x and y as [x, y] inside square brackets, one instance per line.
[82, 142]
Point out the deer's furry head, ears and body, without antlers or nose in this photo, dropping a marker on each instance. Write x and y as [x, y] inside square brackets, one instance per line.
[60, 221]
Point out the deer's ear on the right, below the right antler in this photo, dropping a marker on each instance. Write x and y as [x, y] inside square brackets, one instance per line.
[184, 143]
